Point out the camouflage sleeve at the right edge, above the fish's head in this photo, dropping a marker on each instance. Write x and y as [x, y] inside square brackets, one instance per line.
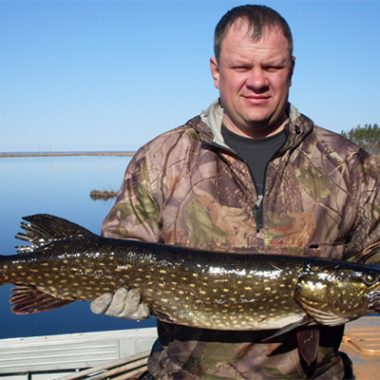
[364, 243]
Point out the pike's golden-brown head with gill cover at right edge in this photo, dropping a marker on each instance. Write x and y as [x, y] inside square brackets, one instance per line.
[336, 294]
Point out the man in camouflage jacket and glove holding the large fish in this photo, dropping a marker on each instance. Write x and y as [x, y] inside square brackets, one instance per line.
[250, 174]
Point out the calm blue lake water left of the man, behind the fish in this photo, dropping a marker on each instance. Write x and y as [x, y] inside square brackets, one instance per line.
[59, 186]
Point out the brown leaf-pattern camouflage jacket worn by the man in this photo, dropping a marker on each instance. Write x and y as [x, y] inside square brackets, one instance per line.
[186, 187]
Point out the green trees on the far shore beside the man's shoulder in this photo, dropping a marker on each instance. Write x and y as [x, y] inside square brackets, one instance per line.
[367, 137]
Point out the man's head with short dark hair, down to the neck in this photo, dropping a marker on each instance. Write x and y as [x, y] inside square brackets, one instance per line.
[252, 68]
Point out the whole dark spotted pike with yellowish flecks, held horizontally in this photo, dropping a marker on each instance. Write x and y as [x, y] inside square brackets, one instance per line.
[204, 289]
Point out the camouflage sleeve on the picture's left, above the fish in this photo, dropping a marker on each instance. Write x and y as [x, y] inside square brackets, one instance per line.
[135, 213]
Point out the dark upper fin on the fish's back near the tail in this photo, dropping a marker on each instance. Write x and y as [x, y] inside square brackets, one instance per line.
[42, 229]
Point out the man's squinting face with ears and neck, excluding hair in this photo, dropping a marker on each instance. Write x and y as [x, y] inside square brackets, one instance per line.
[253, 78]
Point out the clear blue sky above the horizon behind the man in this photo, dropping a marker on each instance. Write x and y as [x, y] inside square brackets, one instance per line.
[99, 75]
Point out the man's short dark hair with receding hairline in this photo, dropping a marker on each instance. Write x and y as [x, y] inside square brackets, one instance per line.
[259, 18]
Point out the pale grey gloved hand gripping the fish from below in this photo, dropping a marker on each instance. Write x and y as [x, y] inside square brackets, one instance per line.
[122, 304]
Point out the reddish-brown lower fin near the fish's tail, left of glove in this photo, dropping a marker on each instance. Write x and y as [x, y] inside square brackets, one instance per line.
[29, 300]
